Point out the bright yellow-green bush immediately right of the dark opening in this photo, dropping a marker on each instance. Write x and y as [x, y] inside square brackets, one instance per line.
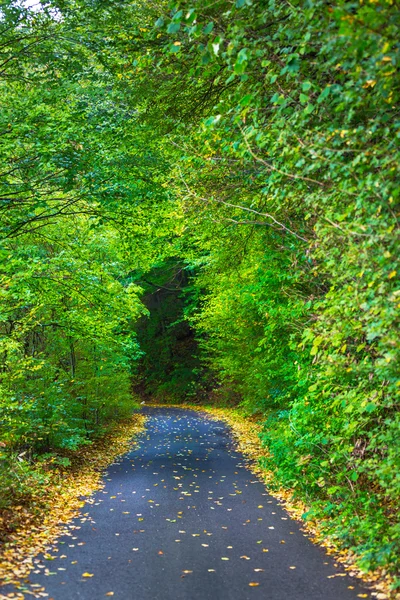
[246, 321]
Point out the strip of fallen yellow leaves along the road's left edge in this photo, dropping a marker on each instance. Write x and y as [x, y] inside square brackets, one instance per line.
[30, 527]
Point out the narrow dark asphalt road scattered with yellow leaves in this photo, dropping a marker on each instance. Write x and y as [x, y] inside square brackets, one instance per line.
[181, 518]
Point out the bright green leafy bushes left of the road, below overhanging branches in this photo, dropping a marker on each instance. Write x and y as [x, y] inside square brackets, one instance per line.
[66, 341]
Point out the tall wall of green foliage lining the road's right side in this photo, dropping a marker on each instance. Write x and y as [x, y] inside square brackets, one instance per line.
[286, 173]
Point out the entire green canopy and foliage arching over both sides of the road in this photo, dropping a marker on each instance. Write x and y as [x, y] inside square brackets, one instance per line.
[251, 146]
